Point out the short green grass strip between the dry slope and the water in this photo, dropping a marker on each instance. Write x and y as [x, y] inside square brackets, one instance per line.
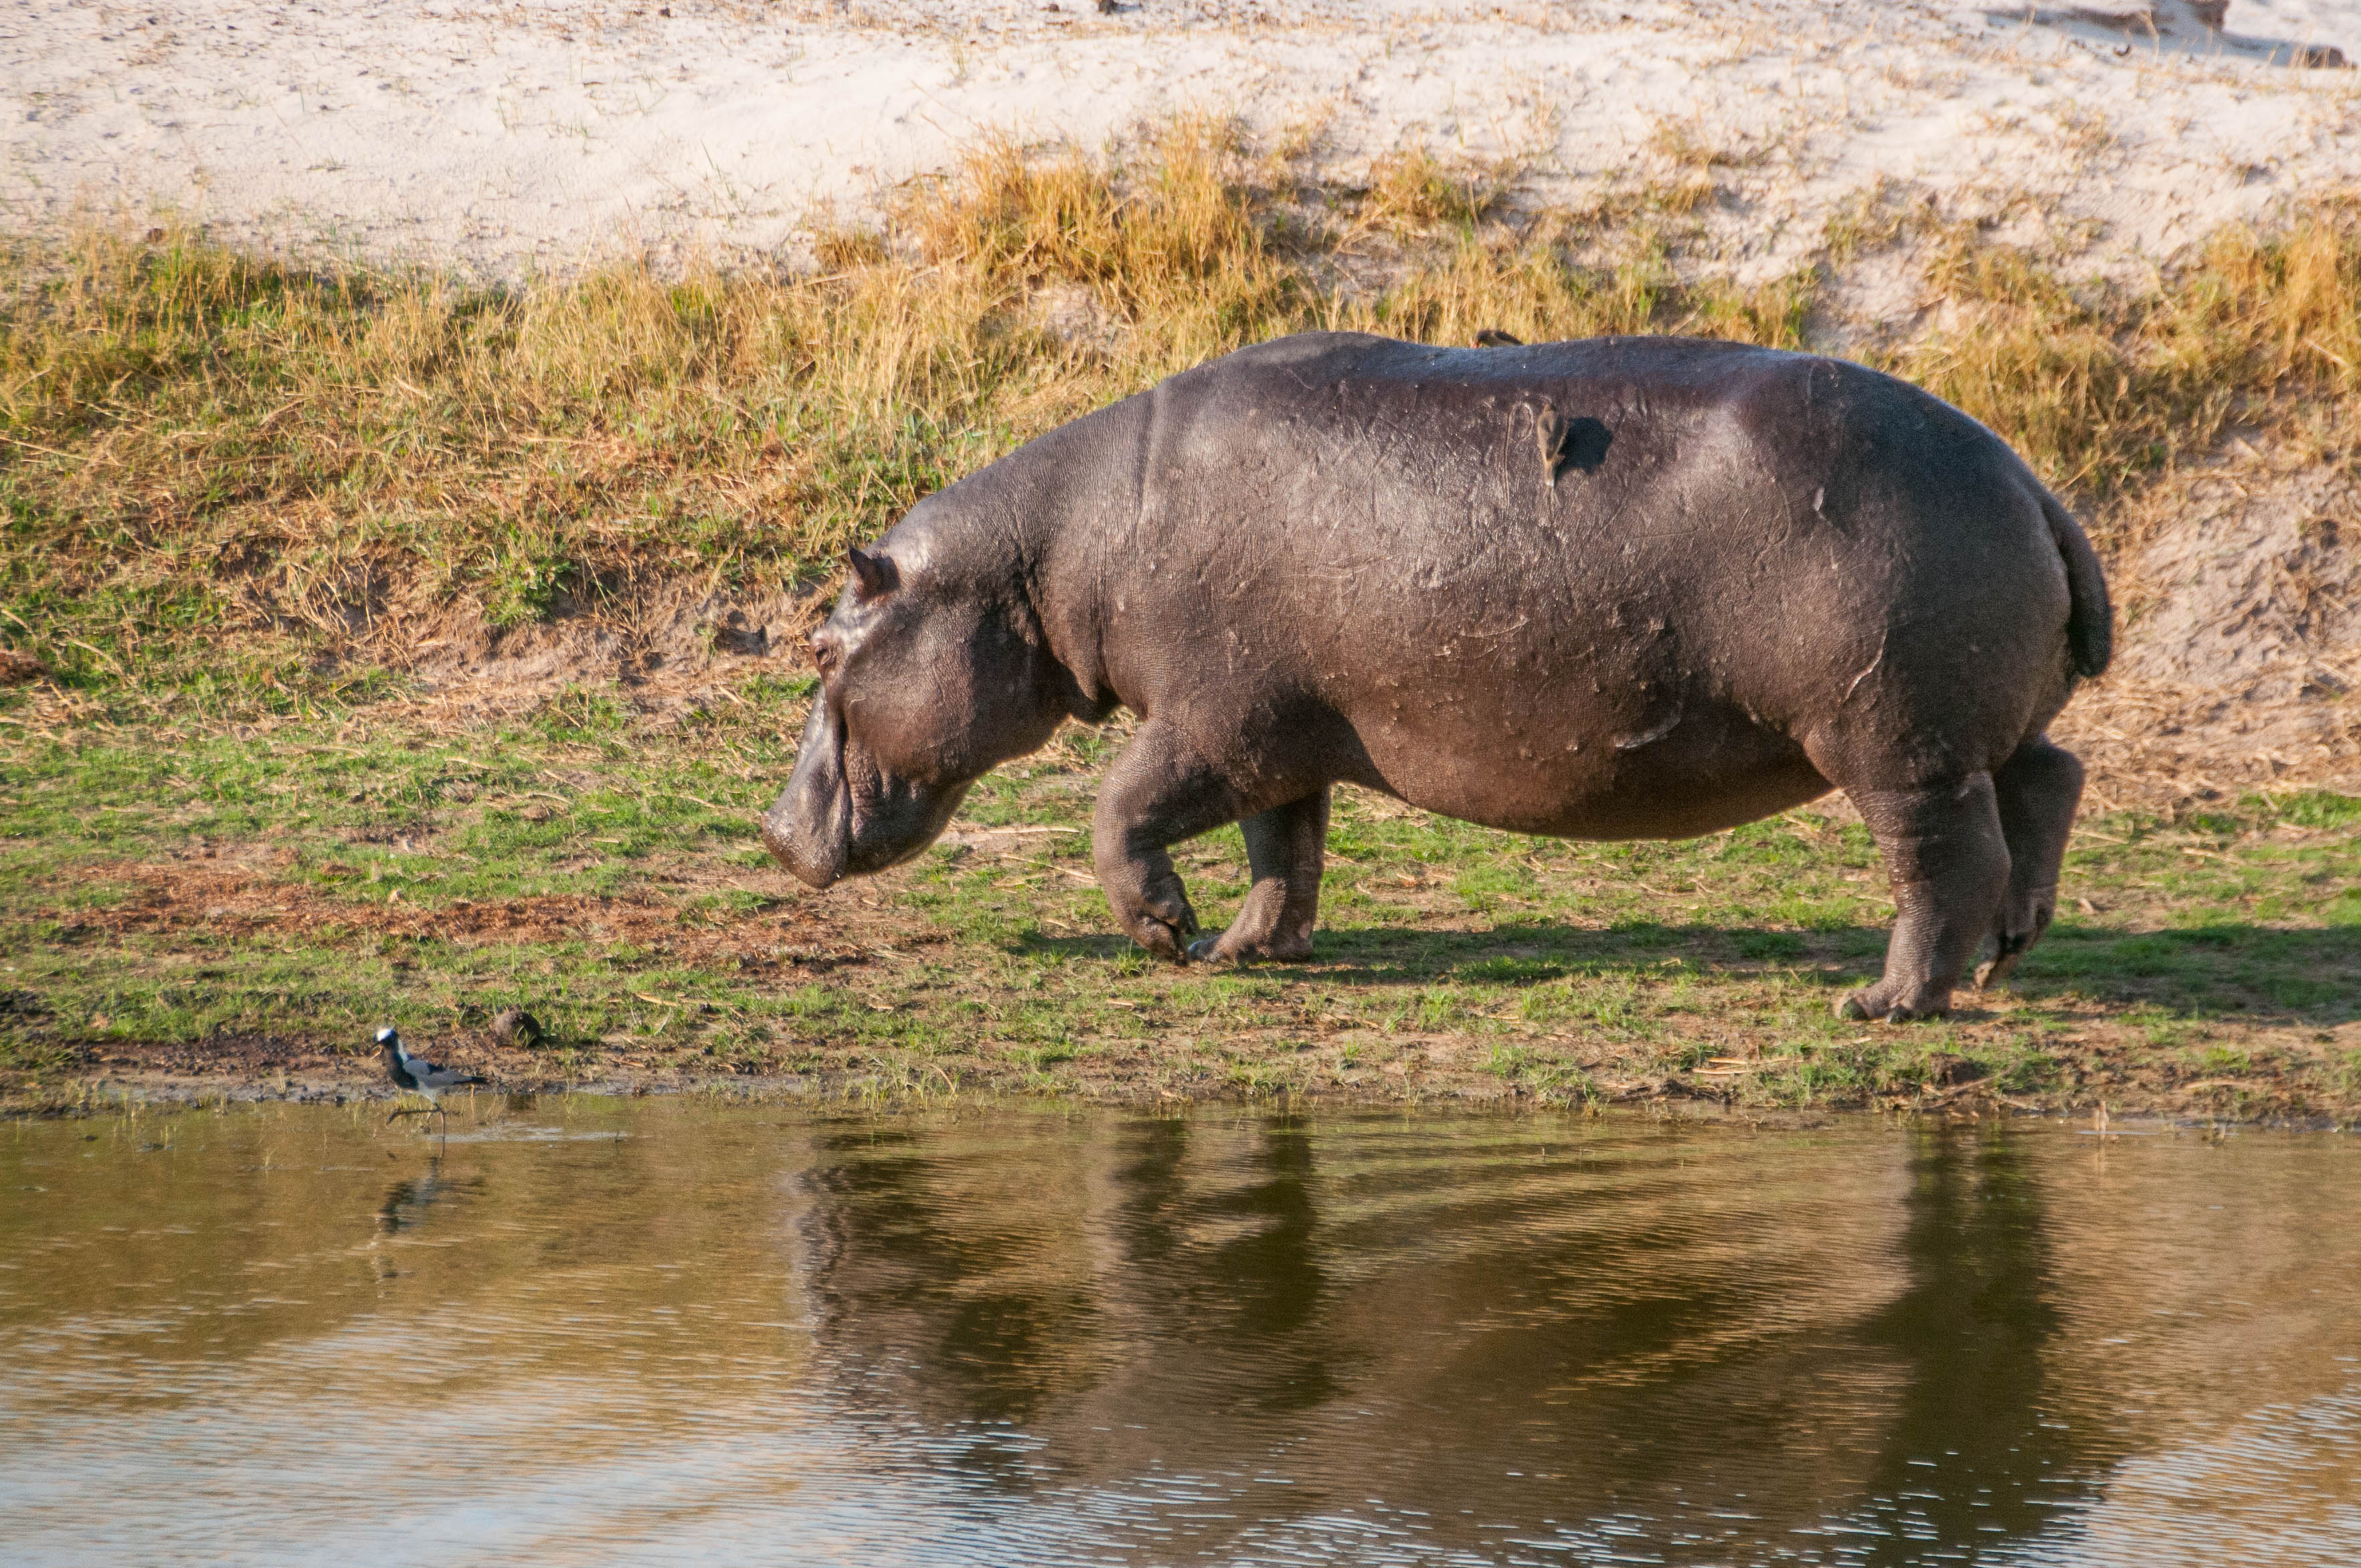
[325, 880]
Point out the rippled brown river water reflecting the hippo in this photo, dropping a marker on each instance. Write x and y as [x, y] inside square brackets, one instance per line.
[667, 1331]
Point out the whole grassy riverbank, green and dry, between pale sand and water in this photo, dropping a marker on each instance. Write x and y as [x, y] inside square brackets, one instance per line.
[386, 648]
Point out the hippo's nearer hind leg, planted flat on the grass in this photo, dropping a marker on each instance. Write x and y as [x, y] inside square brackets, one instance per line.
[1949, 865]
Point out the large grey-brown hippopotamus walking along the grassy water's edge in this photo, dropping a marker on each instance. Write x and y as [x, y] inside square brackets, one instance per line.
[1600, 589]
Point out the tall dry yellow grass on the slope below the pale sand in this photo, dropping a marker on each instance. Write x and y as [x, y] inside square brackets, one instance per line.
[230, 481]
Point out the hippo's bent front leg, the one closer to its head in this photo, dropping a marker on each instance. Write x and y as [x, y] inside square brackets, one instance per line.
[1156, 797]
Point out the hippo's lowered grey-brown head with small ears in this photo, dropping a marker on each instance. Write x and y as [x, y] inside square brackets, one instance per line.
[927, 681]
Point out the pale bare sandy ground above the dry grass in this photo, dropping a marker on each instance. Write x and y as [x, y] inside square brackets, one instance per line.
[518, 138]
